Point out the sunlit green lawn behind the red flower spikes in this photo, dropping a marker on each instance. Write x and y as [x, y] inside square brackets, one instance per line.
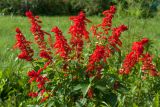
[138, 28]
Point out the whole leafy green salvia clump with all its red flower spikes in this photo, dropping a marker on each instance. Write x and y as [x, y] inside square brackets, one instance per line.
[88, 71]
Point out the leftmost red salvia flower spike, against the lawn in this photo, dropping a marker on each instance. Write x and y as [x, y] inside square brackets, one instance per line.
[24, 45]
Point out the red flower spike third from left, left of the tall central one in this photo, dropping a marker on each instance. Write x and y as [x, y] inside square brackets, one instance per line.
[61, 44]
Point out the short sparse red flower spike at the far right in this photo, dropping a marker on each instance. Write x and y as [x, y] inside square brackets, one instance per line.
[147, 65]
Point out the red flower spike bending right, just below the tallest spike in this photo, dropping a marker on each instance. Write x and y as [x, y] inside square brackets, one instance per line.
[114, 39]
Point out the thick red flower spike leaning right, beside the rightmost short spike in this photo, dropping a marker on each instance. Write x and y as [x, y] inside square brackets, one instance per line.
[133, 57]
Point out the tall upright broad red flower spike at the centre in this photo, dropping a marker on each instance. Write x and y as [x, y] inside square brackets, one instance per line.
[78, 32]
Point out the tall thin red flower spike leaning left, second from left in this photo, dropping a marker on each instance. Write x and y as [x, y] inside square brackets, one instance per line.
[39, 34]
